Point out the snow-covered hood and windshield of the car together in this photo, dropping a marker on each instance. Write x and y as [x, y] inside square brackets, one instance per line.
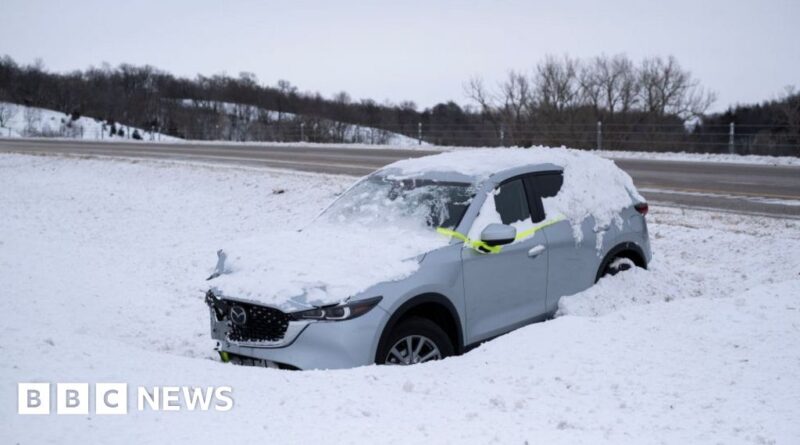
[373, 233]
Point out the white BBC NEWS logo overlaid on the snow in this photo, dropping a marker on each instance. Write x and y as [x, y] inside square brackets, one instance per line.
[112, 398]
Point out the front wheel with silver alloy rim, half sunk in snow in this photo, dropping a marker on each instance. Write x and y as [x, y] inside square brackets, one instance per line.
[428, 342]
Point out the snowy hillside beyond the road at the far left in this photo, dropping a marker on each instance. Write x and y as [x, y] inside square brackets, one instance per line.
[24, 121]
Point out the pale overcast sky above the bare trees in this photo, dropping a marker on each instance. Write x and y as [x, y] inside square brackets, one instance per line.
[746, 51]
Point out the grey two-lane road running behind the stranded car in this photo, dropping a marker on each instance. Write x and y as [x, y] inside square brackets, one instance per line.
[744, 188]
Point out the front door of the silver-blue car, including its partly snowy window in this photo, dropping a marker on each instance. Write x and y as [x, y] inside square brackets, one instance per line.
[507, 289]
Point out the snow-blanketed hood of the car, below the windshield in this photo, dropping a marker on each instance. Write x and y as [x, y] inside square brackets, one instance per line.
[295, 270]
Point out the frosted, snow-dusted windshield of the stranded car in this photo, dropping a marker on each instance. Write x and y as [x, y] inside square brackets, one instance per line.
[378, 200]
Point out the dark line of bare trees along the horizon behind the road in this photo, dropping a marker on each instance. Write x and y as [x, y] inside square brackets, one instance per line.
[608, 101]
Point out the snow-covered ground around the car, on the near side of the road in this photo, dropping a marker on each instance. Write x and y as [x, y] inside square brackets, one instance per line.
[100, 262]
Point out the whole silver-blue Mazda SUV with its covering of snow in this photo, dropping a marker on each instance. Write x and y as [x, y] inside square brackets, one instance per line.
[426, 258]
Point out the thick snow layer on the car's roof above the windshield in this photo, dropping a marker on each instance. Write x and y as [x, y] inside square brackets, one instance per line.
[474, 165]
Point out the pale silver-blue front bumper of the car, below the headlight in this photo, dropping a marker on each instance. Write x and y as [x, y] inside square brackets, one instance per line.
[310, 344]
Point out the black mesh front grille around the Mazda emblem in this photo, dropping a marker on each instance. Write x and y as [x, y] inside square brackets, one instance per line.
[262, 324]
